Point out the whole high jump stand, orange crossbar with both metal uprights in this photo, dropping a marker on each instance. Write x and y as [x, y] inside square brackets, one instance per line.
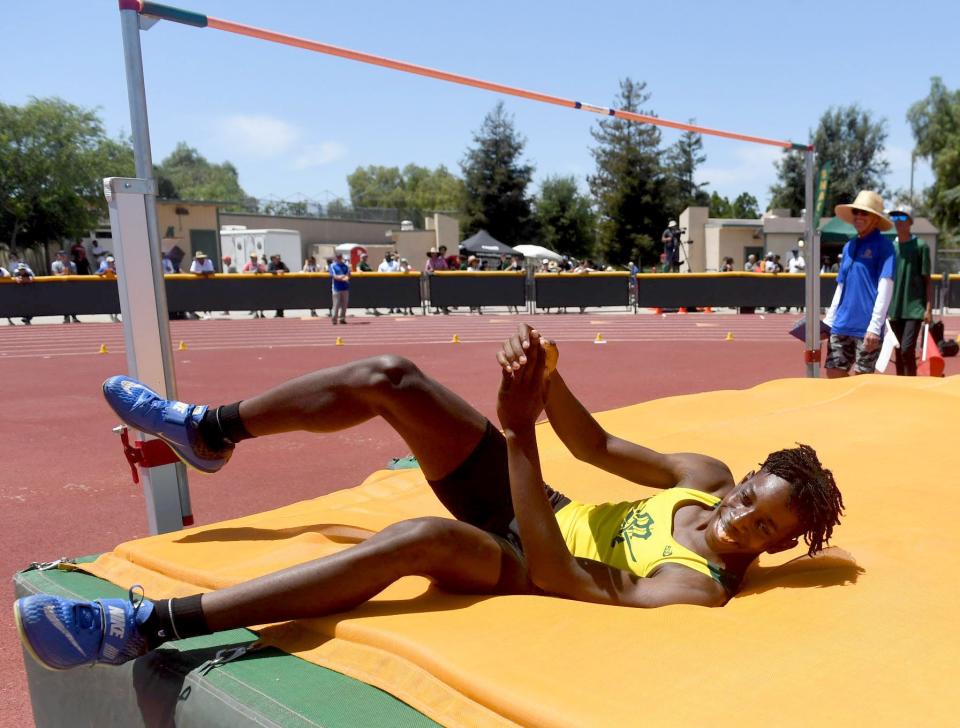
[133, 219]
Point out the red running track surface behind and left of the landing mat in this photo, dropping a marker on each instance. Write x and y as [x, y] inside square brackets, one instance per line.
[66, 489]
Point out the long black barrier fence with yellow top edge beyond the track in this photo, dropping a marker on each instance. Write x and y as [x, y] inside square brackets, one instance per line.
[60, 295]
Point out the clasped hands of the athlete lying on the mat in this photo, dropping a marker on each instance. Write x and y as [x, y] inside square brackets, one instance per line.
[526, 361]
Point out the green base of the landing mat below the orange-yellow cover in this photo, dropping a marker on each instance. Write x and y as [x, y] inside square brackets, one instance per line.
[176, 686]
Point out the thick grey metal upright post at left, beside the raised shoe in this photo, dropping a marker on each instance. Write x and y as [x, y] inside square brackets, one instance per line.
[143, 299]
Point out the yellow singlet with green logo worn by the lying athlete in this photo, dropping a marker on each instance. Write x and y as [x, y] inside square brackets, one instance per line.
[637, 536]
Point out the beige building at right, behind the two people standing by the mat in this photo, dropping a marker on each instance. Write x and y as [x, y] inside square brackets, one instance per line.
[709, 240]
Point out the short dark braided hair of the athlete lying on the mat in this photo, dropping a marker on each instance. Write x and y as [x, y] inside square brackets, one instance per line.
[815, 497]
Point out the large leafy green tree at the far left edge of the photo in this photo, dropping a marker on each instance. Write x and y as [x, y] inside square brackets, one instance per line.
[53, 157]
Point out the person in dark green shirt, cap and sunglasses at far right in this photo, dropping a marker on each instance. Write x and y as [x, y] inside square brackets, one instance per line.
[912, 291]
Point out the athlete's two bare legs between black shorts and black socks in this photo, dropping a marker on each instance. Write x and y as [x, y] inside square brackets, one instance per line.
[441, 429]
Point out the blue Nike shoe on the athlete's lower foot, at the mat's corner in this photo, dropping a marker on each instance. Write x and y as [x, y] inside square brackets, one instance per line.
[63, 633]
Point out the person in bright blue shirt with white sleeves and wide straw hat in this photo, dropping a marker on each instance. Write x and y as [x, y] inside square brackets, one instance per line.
[864, 289]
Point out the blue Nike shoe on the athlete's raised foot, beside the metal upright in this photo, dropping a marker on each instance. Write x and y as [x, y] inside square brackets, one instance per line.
[176, 423]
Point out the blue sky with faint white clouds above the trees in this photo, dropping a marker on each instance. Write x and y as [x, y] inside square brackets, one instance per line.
[296, 123]
